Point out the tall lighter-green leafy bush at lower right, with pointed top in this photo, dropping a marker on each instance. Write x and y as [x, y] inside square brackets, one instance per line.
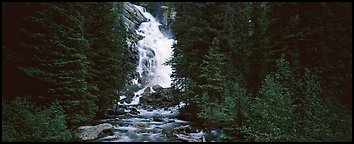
[273, 110]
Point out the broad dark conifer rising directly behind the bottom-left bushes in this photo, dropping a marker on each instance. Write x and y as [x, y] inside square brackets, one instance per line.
[58, 59]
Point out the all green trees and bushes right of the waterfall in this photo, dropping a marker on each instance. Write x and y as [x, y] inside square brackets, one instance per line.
[282, 71]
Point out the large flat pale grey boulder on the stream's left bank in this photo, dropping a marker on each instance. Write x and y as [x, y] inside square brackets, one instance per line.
[93, 132]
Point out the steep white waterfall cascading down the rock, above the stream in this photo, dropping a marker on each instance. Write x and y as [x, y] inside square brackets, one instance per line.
[154, 50]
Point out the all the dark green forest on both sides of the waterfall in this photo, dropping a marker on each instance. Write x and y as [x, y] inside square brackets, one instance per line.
[257, 71]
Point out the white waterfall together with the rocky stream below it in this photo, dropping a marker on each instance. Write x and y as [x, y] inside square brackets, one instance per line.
[142, 123]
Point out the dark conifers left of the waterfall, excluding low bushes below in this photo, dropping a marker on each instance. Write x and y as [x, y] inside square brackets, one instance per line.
[75, 53]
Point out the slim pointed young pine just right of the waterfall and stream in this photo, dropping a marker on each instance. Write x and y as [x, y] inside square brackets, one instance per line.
[212, 86]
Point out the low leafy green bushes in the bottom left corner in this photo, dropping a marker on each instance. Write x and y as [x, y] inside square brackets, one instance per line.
[23, 121]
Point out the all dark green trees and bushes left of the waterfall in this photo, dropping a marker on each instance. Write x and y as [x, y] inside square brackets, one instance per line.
[73, 54]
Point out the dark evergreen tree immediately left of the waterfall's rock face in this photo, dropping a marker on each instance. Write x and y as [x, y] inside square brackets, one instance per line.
[108, 51]
